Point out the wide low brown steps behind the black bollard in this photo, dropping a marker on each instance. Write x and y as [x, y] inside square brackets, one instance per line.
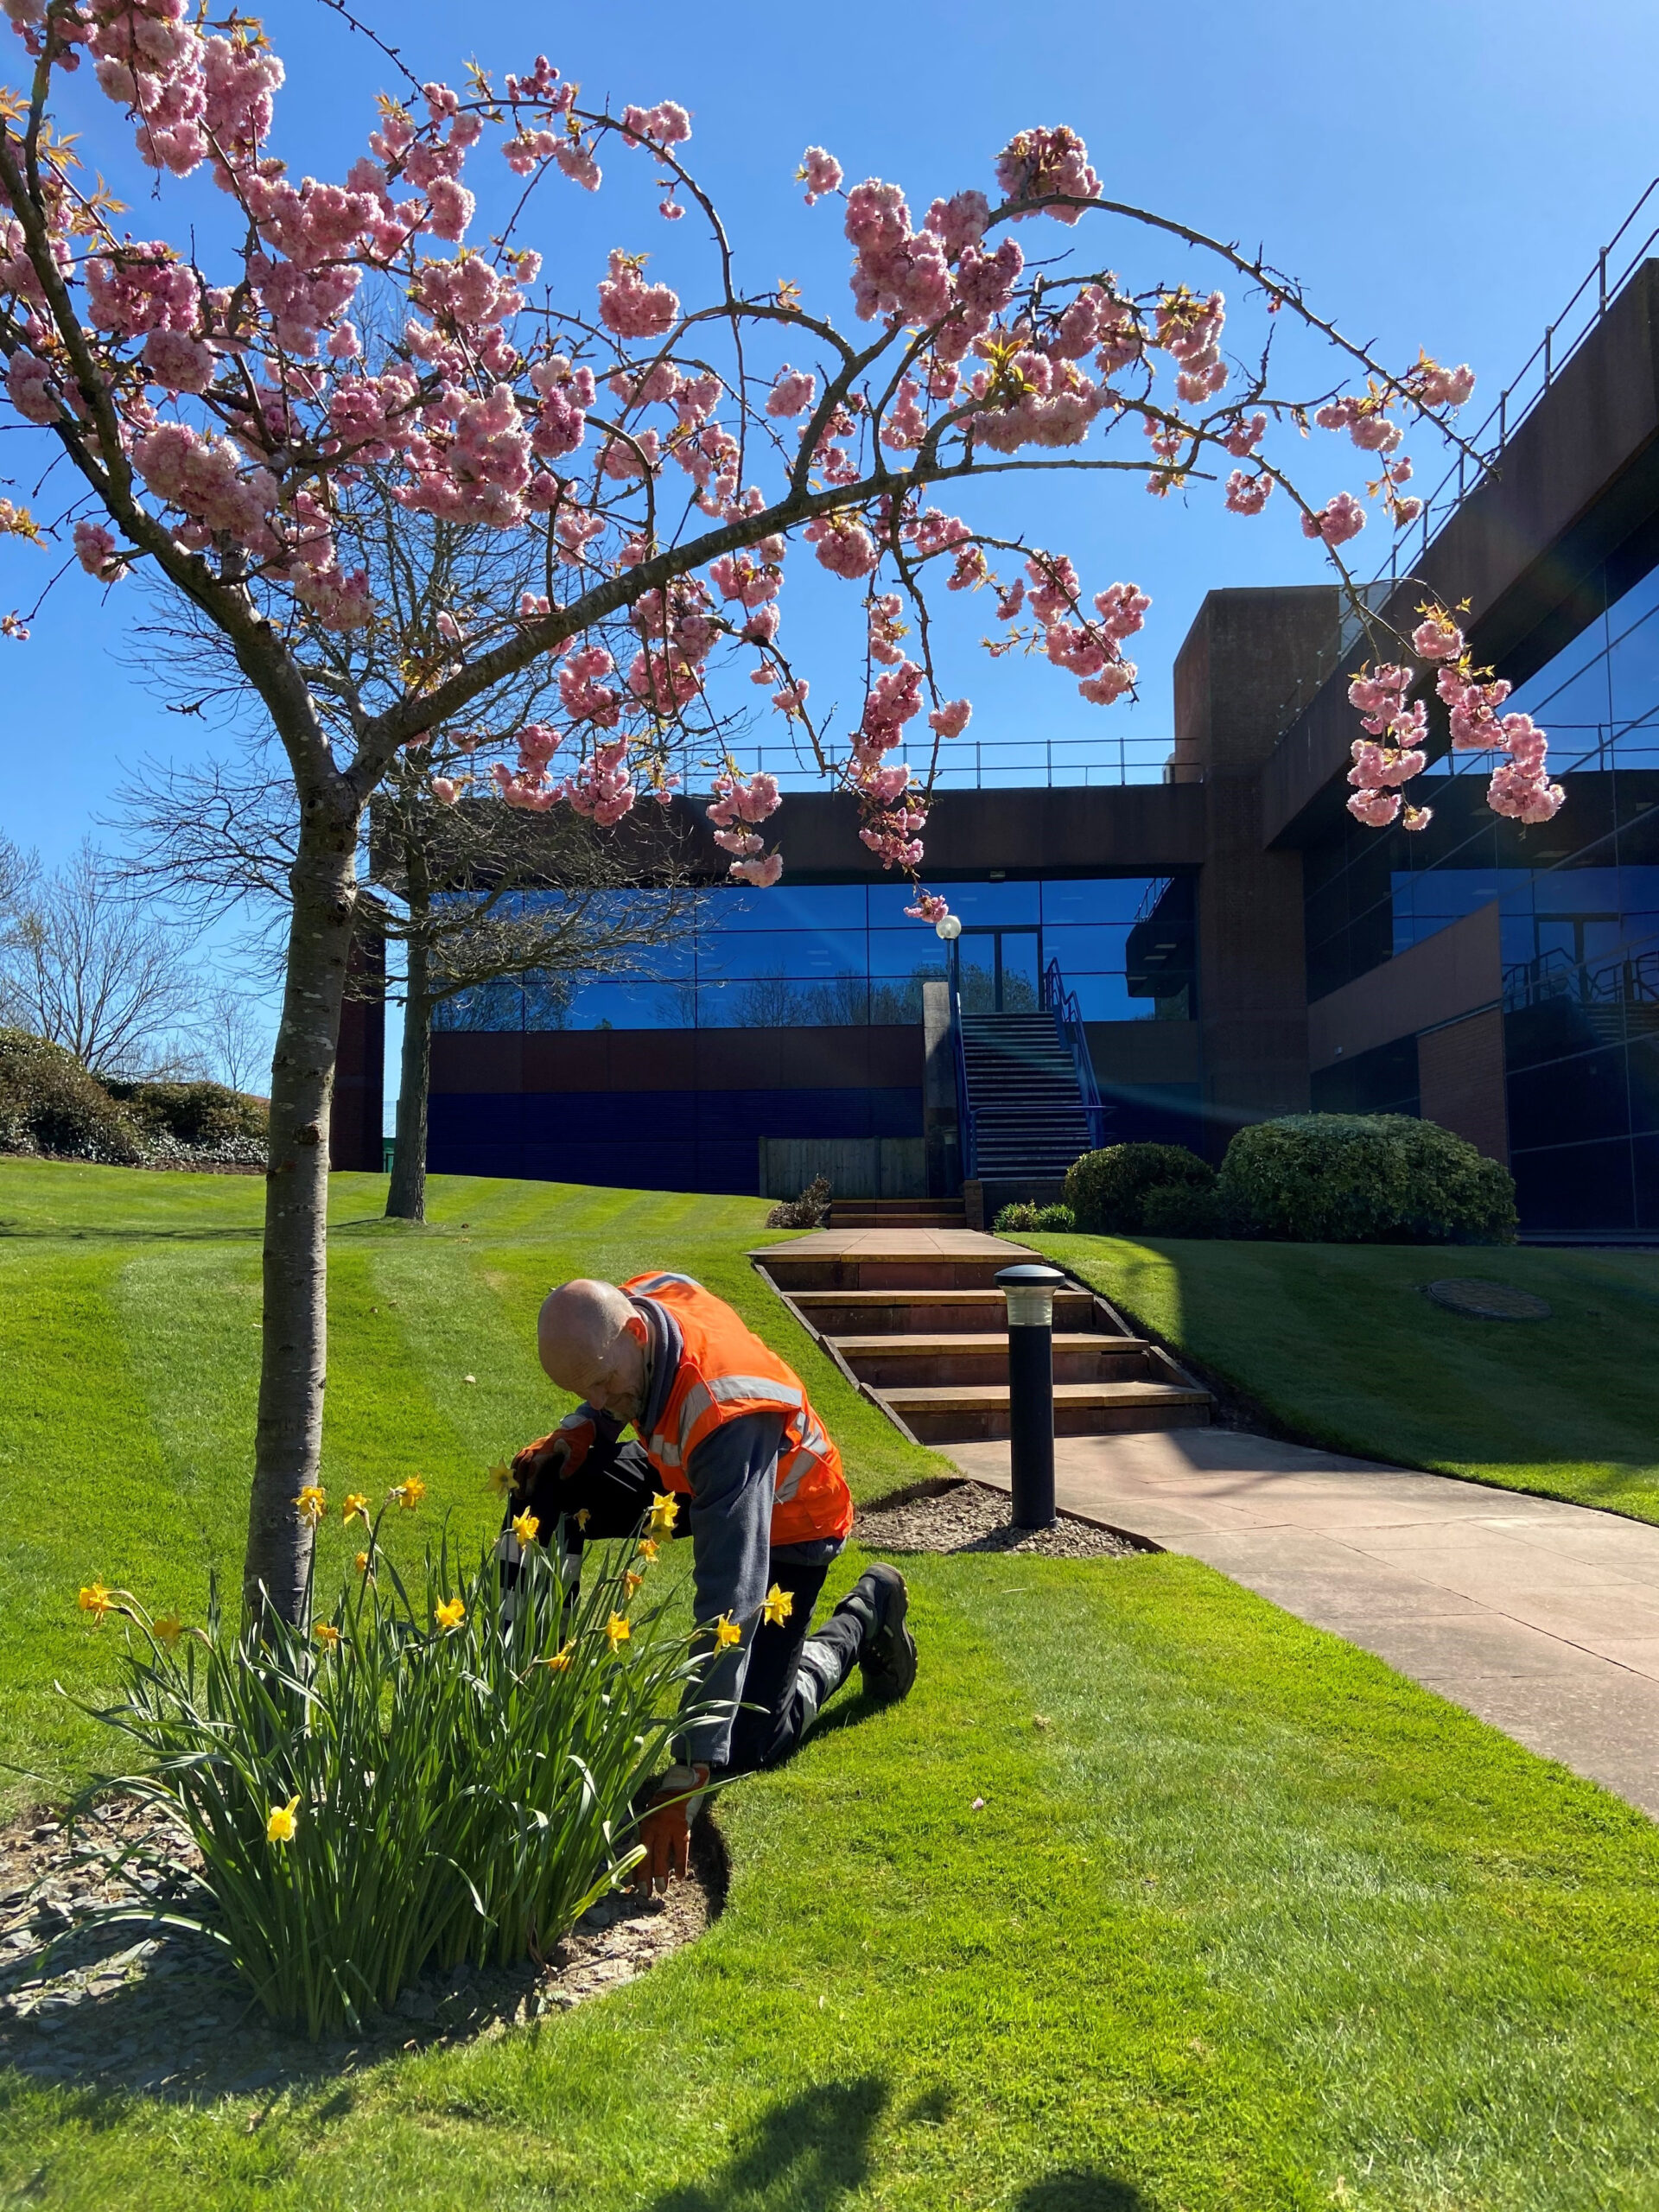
[917, 1324]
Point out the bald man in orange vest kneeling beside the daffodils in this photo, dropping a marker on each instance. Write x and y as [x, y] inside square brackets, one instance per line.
[727, 1426]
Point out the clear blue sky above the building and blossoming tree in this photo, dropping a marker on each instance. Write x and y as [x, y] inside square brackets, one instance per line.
[1434, 176]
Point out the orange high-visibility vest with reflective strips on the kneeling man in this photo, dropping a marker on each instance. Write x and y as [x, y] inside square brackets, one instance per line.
[724, 1375]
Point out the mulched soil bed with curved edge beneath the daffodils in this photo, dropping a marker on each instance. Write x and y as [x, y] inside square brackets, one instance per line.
[163, 2012]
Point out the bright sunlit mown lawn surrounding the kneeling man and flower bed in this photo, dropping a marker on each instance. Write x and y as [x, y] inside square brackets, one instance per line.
[1244, 1921]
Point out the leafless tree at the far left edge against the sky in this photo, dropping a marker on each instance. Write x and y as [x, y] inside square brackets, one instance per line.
[90, 968]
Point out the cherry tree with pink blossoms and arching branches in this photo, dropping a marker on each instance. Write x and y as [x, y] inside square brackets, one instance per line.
[233, 426]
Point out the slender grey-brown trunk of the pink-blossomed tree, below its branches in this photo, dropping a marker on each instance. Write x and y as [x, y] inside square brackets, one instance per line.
[295, 1326]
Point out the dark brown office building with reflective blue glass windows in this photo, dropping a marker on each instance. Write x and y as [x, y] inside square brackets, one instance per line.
[1231, 941]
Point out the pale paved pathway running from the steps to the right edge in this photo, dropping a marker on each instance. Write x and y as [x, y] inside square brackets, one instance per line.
[1536, 1616]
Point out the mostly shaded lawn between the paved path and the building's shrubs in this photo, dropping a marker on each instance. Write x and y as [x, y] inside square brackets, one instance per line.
[1342, 1346]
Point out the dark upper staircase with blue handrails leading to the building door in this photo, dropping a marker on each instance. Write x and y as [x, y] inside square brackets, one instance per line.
[1025, 1096]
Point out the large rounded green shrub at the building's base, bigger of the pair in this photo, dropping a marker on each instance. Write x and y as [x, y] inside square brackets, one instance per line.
[1348, 1178]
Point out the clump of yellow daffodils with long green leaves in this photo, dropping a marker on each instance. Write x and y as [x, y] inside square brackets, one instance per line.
[413, 1775]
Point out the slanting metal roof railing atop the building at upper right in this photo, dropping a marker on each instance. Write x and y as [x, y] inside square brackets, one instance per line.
[1578, 320]
